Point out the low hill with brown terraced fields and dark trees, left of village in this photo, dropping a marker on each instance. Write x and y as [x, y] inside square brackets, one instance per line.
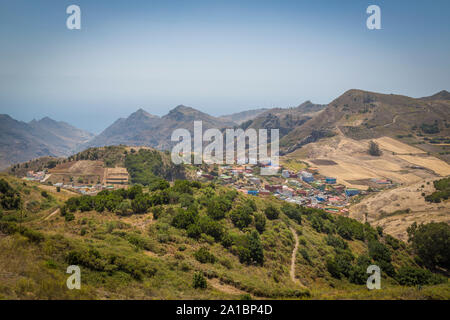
[145, 166]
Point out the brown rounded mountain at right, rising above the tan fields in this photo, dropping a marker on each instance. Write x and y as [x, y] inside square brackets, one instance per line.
[363, 115]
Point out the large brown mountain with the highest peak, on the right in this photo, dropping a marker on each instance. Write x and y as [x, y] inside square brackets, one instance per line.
[364, 115]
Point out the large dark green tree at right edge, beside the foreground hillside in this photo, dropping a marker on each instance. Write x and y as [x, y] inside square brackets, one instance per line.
[431, 242]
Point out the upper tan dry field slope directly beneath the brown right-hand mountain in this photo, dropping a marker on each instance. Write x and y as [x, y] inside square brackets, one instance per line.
[353, 164]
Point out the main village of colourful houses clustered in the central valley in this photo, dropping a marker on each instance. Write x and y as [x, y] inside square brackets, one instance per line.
[306, 187]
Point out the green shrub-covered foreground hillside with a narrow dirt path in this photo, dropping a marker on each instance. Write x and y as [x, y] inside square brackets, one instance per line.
[187, 242]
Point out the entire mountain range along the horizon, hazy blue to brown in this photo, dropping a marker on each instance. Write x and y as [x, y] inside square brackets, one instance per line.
[357, 114]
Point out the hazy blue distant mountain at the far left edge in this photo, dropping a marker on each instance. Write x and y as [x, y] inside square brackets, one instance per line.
[21, 141]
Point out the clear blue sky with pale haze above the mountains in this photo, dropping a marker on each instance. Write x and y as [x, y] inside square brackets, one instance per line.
[217, 56]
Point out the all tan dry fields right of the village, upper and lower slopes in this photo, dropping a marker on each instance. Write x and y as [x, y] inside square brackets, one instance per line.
[354, 167]
